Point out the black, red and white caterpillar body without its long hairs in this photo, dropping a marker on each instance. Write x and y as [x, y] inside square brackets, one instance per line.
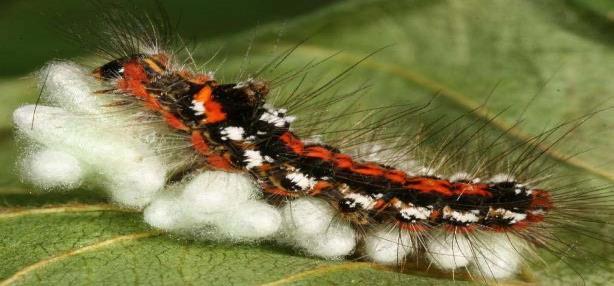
[233, 128]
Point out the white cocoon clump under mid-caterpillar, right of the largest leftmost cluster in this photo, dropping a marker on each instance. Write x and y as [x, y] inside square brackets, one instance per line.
[227, 202]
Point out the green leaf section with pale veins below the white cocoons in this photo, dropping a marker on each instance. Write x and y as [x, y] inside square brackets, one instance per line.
[85, 243]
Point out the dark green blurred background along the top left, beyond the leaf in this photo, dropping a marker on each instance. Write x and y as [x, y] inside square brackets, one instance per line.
[31, 37]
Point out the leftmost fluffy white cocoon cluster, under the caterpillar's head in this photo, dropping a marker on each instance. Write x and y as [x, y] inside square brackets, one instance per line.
[73, 140]
